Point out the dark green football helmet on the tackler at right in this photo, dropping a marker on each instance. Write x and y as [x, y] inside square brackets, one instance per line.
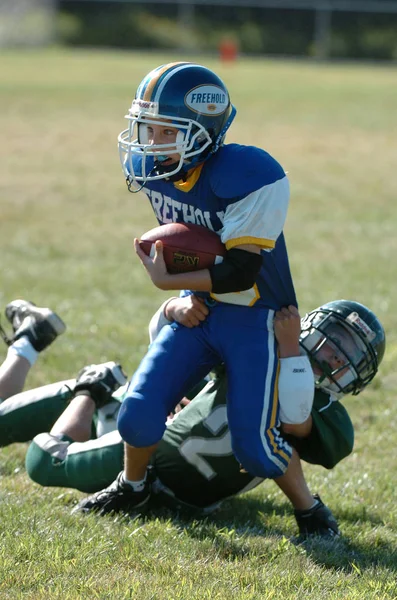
[345, 342]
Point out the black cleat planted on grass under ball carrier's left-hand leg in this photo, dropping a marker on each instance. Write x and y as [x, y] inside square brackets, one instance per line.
[118, 497]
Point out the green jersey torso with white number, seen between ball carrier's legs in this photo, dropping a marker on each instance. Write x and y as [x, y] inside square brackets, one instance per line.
[195, 459]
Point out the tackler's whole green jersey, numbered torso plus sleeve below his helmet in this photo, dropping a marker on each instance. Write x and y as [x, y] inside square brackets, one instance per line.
[195, 460]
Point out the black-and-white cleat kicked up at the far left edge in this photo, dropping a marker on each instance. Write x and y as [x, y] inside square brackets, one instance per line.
[40, 325]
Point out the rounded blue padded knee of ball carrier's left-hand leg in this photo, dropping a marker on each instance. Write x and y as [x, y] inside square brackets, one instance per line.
[138, 424]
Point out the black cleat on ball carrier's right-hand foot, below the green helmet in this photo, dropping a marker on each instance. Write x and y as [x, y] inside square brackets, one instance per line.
[317, 521]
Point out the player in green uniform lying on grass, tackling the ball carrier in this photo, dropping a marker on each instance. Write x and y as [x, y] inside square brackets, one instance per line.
[194, 466]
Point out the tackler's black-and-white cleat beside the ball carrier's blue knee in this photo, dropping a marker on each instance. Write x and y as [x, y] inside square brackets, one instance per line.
[100, 381]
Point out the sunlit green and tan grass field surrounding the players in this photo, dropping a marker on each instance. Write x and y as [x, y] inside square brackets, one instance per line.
[66, 230]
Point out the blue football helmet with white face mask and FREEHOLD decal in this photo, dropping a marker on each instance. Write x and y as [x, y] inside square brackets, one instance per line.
[188, 97]
